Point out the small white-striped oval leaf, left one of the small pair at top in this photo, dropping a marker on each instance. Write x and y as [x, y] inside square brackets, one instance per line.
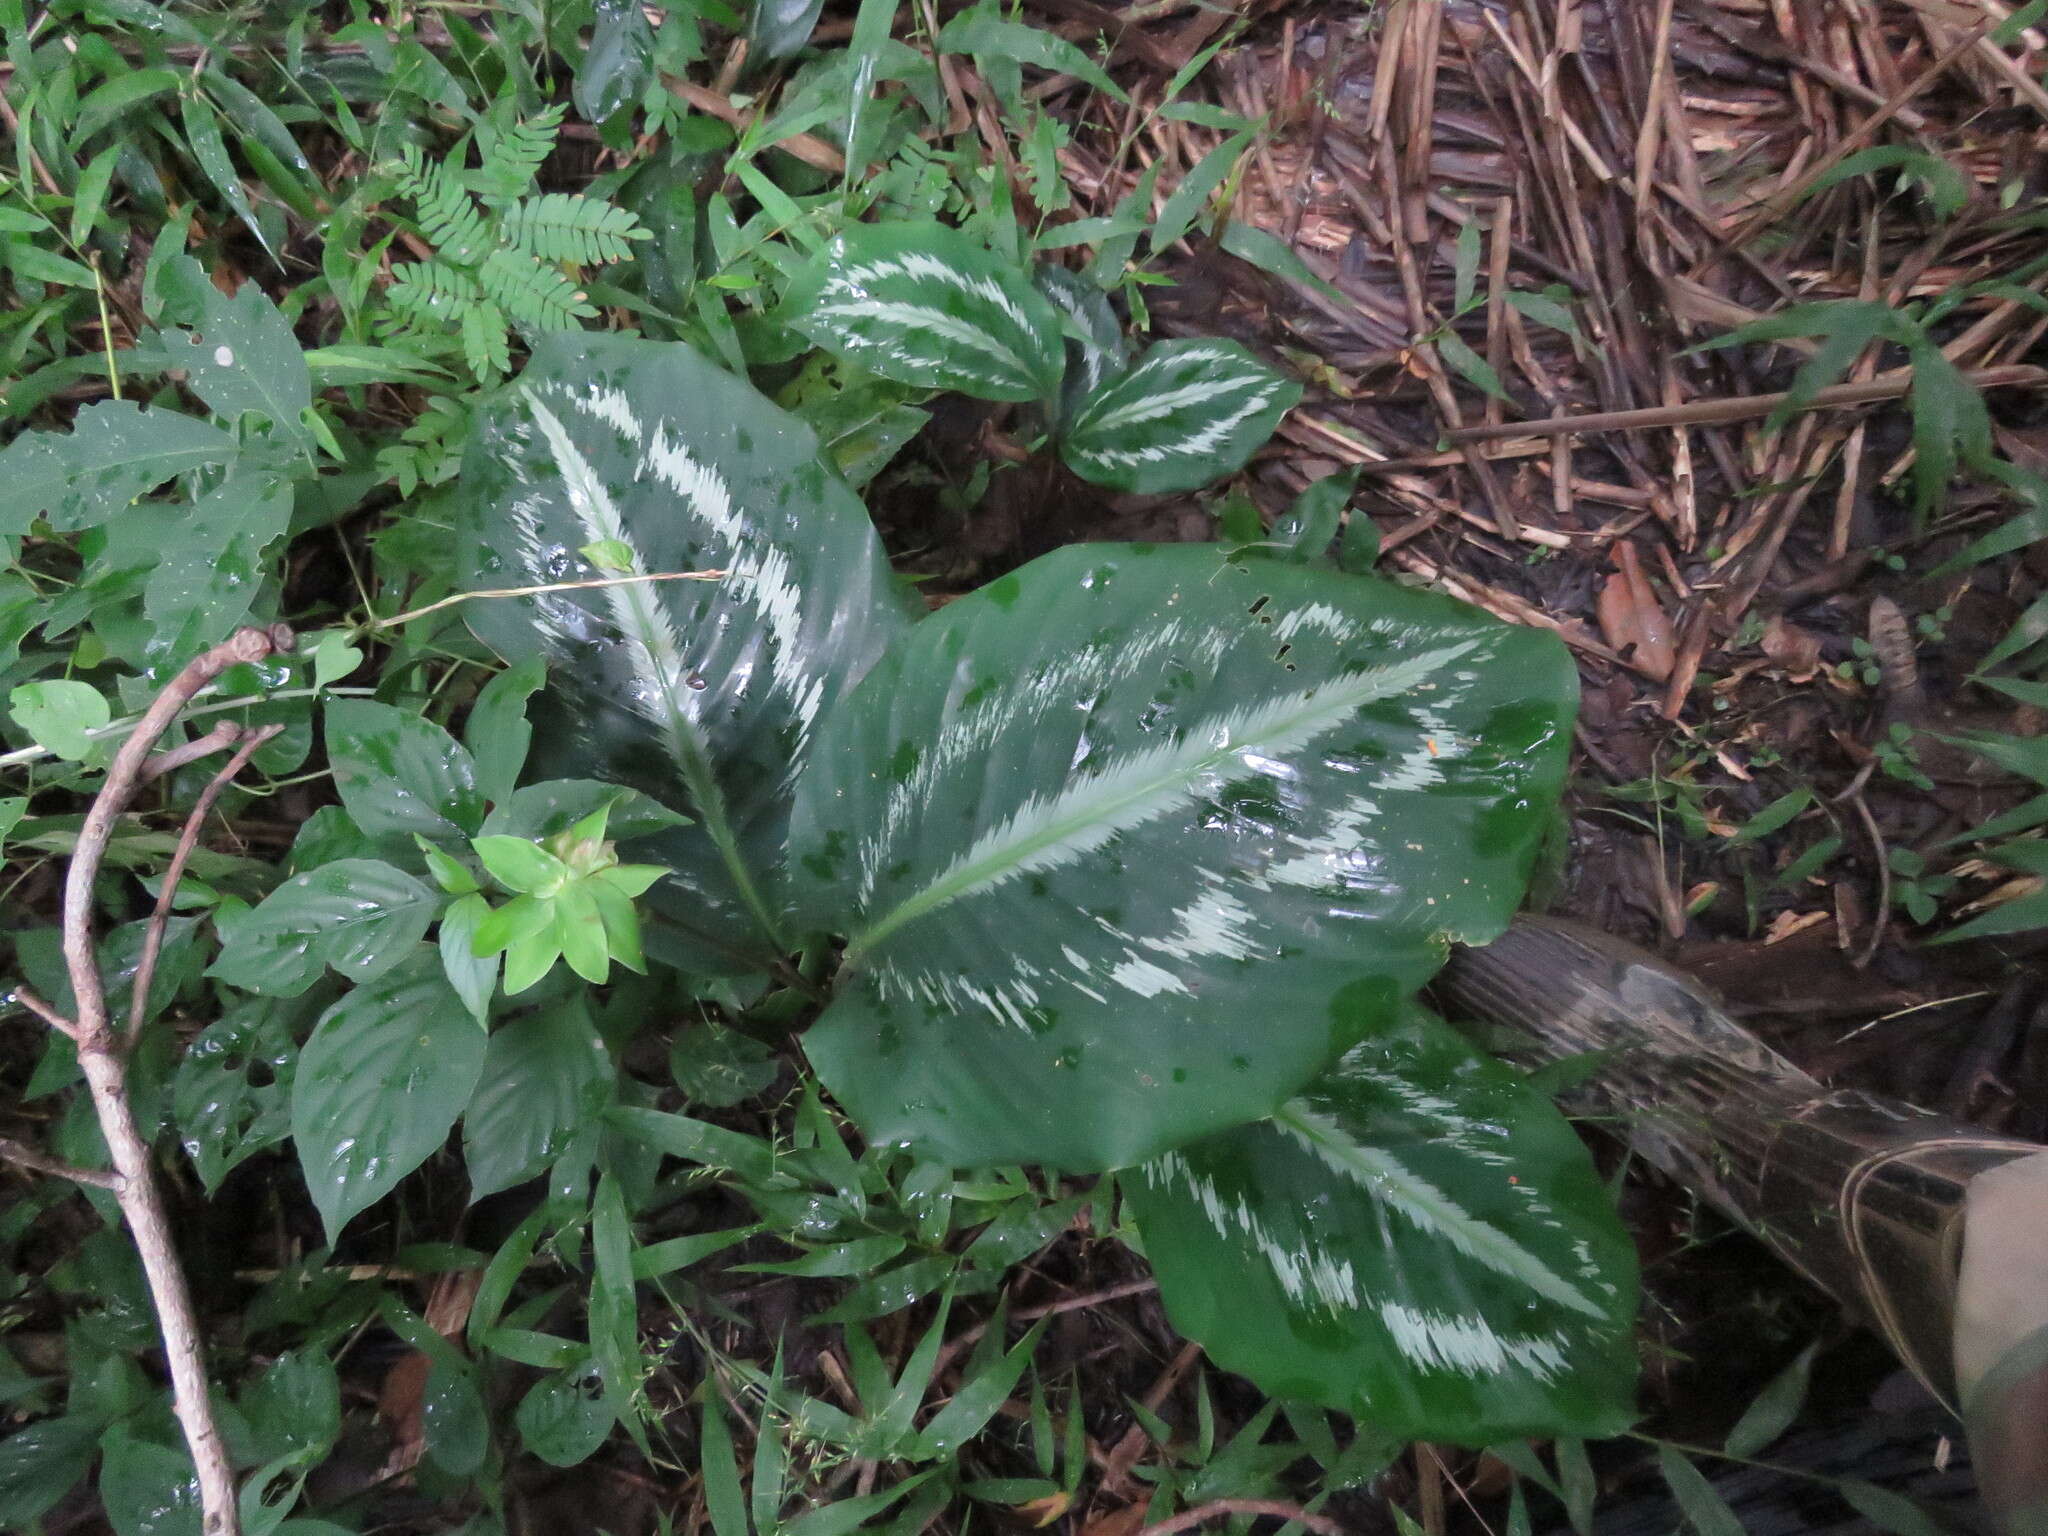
[929, 306]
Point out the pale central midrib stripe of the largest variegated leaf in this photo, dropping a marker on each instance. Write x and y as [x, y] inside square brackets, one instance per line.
[1078, 810]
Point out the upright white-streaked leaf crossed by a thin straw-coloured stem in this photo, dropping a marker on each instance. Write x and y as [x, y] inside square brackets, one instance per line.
[699, 693]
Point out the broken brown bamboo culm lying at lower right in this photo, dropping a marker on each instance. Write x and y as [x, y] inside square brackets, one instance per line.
[1932, 1230]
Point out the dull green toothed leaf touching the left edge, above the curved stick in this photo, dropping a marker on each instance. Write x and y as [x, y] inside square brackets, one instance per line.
[114, 454]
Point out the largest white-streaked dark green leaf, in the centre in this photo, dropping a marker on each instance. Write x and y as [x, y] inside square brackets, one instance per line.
[1132, 843]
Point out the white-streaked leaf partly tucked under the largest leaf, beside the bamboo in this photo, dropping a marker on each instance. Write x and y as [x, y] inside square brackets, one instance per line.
[1418, 1240]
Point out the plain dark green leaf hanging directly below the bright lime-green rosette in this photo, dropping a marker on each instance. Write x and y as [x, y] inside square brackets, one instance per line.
[546, 1078]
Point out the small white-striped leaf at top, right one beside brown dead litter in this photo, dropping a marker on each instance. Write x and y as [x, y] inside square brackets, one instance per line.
[1183, 417]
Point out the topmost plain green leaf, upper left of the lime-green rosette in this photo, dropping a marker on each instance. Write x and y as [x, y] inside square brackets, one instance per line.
[402, 775]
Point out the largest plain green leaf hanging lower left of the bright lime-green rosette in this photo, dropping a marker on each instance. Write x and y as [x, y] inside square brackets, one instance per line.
[380, 1082]
